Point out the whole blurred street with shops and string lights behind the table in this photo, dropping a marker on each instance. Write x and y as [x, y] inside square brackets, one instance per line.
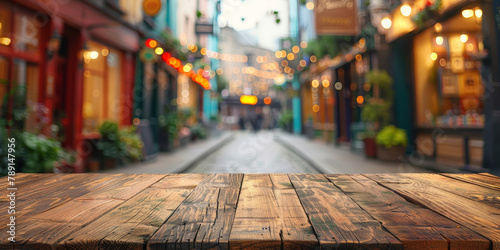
[250, 86]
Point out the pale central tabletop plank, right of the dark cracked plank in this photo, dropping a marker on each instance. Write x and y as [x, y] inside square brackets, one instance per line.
[269, 215]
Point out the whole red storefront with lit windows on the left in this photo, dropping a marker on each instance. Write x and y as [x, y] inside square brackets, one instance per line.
[72, 67]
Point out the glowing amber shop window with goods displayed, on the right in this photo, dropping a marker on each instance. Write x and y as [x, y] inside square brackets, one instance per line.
[448, 86]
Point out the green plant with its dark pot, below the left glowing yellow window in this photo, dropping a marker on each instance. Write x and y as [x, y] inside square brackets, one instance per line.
[110, 146]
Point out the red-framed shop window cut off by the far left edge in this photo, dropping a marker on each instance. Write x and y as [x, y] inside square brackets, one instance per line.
[20, 44]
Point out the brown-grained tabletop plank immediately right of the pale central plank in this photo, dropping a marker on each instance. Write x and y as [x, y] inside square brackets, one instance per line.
[336, 219]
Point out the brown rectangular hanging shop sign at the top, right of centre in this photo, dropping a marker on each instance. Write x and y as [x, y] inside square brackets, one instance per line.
[336, 17]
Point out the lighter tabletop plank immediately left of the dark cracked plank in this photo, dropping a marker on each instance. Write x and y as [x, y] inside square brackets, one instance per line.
[132, 223]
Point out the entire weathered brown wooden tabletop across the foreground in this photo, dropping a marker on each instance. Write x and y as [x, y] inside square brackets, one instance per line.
[287, 211]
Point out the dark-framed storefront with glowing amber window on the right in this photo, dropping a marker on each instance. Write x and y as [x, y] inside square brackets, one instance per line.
[448, 92]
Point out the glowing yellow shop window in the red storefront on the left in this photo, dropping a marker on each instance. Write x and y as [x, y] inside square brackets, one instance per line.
[102, 86]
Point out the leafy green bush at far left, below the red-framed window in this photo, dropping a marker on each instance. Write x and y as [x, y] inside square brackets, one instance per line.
[38, 153]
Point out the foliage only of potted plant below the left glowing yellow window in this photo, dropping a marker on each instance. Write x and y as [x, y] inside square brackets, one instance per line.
[110, 144]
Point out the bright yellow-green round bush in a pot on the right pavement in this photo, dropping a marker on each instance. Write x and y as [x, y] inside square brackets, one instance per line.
[391, 143]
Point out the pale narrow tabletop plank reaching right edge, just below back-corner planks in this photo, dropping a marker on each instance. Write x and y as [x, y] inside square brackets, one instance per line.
[474, 192]
